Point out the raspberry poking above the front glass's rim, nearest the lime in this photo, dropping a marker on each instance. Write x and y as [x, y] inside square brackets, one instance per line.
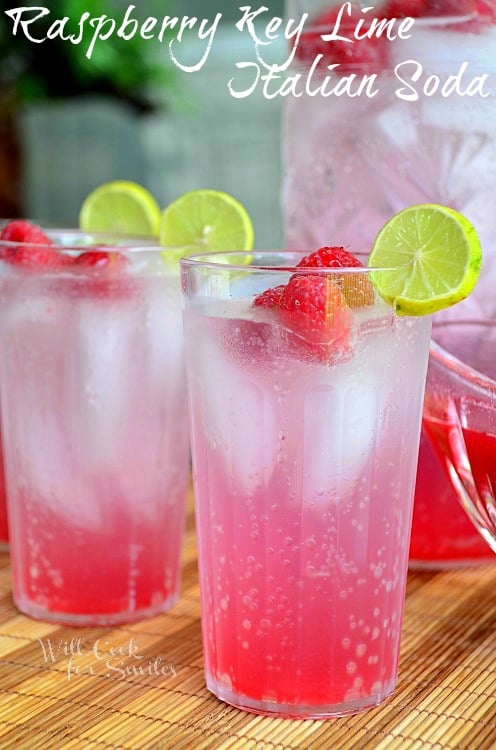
[357, 289]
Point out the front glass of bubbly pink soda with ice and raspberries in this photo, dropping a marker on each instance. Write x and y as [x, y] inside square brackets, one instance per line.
[304, 454]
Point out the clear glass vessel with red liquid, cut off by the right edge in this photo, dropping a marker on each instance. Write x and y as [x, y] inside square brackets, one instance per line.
[460, 421]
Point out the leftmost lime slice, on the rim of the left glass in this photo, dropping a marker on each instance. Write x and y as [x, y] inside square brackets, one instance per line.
[122, 207]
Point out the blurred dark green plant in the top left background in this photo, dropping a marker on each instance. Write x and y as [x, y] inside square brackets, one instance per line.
[124, 69]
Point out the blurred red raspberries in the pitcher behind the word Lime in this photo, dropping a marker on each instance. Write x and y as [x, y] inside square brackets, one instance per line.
[349, 54]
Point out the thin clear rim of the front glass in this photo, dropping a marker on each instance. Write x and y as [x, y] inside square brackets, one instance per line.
[212, 261]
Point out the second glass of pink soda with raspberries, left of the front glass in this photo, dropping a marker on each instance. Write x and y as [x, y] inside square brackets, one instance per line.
[95, 433]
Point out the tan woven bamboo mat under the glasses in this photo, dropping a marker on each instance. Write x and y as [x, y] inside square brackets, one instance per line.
[446, 695]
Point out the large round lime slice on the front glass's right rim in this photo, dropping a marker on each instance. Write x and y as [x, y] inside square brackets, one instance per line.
[434, 255]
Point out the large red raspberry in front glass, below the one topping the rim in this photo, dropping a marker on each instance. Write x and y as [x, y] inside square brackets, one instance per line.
[314, 309]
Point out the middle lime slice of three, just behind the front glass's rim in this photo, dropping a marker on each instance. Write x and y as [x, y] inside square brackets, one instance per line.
[204, 221]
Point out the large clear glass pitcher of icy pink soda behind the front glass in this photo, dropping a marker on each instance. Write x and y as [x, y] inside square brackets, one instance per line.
[422, 131]
